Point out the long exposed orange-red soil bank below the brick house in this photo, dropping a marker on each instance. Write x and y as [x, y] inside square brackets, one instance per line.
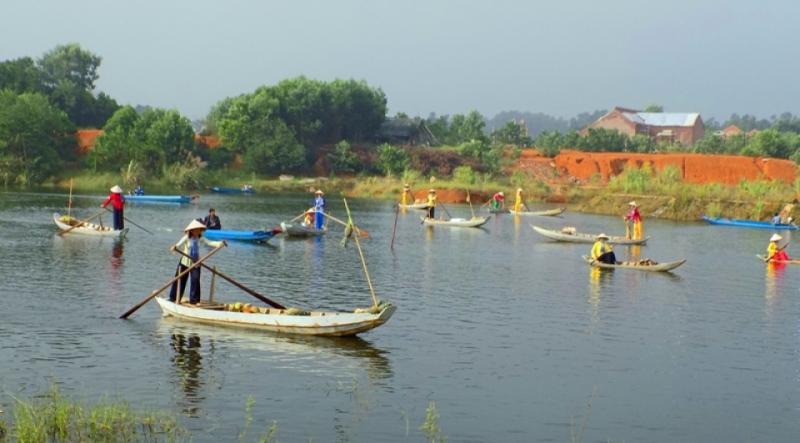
[695, 168]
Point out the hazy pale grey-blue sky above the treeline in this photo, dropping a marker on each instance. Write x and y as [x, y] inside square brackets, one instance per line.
[560, 57]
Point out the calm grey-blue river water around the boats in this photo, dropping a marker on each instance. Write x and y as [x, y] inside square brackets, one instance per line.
[512, 336]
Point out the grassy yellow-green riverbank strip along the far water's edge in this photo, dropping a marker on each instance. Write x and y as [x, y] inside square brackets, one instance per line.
[660, 195]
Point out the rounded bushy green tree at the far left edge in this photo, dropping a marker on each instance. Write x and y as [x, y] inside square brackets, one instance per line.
[35, 138]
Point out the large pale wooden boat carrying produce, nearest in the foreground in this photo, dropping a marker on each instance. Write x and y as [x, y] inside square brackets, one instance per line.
[322, 323]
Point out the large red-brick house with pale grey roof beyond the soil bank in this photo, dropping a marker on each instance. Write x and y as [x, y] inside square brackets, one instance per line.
[673, 127]
